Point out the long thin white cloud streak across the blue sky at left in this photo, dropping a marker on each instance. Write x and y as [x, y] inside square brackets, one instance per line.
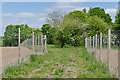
[23, 14]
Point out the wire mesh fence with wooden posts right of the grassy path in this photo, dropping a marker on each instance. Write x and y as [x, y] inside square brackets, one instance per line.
[105, 47]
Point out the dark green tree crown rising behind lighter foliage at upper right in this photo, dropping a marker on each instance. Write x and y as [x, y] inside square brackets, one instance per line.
[100, 13]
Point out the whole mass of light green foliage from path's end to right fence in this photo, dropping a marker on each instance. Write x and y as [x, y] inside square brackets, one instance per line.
[76, 26]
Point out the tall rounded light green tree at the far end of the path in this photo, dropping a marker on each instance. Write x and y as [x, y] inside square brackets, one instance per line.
[71, 30]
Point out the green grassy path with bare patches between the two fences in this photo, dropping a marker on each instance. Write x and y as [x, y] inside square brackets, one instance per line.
[73, 62]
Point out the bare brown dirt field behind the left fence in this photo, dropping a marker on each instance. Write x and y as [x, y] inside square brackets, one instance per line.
[11, 54]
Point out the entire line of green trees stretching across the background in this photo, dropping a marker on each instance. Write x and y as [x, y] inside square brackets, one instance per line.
[66, 29]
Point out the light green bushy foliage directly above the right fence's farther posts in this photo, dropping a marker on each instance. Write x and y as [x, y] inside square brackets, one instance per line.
[96, 26]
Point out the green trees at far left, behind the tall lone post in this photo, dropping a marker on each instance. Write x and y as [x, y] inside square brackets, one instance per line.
[11, 34]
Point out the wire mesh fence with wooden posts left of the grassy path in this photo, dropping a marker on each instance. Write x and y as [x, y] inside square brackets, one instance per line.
[19, 49]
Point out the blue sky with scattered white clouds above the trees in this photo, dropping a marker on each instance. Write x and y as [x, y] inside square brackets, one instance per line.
[35, 13]
